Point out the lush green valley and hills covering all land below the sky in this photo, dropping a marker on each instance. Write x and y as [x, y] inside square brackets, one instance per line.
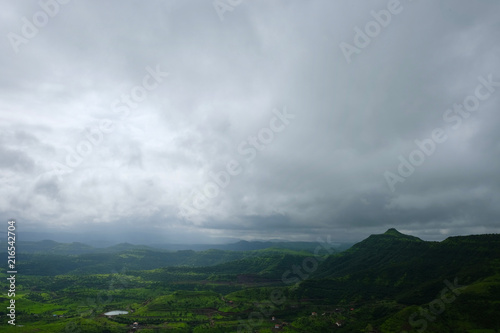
[386, 283]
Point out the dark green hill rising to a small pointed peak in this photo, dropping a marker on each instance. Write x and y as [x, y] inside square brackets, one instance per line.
[400, 261]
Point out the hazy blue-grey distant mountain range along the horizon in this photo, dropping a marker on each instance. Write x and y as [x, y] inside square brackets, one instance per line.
[52, 258]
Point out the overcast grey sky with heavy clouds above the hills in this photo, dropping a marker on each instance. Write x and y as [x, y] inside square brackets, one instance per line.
[213, 121]
